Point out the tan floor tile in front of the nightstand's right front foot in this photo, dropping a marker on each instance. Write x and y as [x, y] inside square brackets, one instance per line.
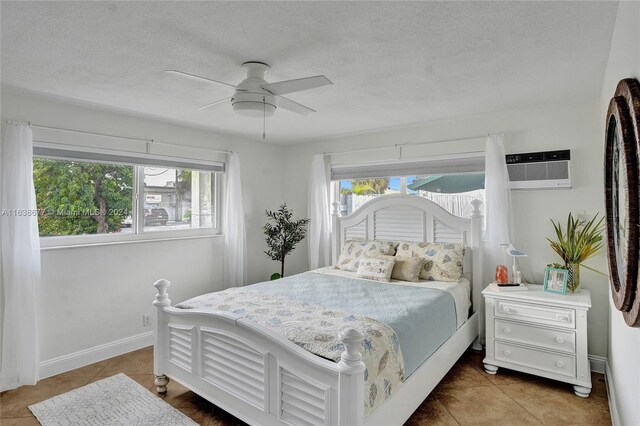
[554, 403]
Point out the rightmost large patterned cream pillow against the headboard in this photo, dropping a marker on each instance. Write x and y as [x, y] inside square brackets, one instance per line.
[443, 261]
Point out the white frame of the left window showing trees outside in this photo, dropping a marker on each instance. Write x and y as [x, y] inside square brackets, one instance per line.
[137, 214]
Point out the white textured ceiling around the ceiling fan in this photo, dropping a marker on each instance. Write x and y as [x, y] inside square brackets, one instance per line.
[392, 63]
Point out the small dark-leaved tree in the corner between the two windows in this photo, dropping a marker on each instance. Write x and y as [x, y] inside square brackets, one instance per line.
[282, 234]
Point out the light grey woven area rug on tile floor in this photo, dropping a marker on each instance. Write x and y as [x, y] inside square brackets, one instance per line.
[117, 400]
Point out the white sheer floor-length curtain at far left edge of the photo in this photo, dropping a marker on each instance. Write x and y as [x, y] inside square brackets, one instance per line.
[20, 259]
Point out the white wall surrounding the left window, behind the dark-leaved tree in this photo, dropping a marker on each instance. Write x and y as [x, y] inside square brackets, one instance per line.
[93, 296]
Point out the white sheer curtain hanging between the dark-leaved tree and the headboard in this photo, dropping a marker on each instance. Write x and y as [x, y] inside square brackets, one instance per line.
[320, 225]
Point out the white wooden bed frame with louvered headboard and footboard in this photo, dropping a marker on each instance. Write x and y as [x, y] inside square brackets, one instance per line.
[264, 379]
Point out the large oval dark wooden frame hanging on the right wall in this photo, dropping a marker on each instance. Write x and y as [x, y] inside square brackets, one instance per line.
[622, 198]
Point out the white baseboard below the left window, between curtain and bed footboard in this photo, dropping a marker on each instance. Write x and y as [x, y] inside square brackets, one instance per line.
[84, 357]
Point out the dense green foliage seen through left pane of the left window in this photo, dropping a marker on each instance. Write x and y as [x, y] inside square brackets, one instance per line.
[81, 198]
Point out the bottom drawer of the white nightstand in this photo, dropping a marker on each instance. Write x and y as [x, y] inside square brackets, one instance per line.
[564, 365]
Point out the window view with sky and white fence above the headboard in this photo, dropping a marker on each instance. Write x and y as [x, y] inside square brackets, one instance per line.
[453, 192]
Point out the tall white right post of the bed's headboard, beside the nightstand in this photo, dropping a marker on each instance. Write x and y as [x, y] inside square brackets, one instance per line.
[478, 280]
